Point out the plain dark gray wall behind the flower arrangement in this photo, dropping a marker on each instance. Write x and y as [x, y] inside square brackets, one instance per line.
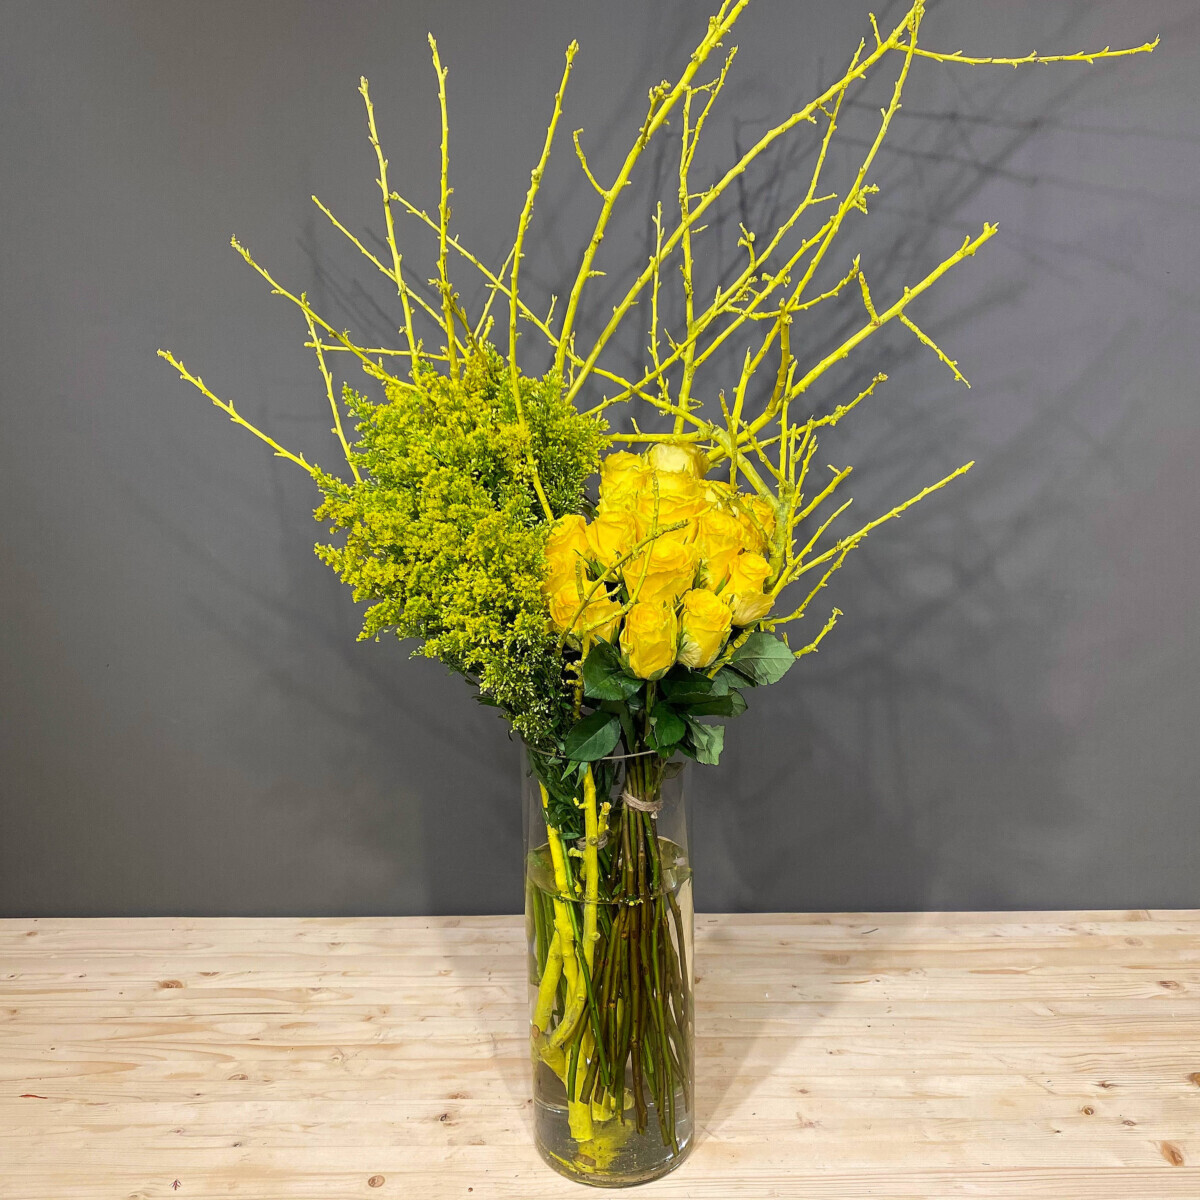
[1006, 717]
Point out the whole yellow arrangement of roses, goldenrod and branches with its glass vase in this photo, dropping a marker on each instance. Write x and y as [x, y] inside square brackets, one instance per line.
[614, 589]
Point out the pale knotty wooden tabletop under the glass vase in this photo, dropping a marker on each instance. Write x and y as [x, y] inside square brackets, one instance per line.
[1015, 1054]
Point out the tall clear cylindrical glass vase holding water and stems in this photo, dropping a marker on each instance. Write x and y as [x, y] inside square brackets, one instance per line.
[609, 925]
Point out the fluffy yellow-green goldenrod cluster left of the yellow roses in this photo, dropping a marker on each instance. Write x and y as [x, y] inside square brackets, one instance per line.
[445, 533]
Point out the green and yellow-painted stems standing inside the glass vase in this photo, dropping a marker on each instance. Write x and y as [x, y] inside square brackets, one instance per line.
[613, 964]
